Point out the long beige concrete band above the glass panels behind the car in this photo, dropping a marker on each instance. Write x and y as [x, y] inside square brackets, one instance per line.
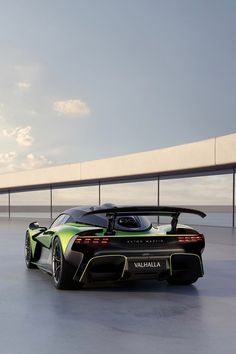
[212, 153]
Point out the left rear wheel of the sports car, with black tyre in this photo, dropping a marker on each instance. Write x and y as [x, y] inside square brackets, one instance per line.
[62, 272]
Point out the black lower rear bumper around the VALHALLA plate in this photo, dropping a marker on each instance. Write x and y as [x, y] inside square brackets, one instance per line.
[115, 267]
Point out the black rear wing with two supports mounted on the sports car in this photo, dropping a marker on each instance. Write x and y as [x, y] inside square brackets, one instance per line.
[174, 212]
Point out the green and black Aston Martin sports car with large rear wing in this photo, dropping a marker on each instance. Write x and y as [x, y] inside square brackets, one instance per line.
[95, 244]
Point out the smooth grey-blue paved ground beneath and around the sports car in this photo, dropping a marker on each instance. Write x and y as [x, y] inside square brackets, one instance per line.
[141, 317]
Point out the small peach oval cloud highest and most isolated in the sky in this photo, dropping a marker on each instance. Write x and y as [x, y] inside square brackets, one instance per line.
[71, 108]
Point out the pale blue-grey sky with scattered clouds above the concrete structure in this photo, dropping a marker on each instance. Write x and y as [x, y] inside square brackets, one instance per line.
[84, 80]
